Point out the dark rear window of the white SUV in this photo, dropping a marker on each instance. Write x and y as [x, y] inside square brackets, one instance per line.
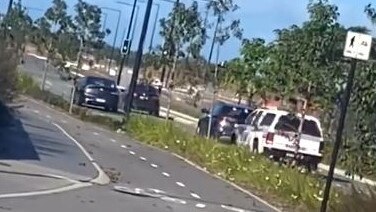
[291, 124]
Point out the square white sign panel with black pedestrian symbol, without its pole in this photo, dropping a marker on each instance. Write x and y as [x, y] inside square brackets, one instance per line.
[358, 46]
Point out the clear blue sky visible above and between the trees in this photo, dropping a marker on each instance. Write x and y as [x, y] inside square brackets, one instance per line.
[258, 18]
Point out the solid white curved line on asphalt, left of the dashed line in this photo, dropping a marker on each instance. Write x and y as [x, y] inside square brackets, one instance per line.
[102, 178]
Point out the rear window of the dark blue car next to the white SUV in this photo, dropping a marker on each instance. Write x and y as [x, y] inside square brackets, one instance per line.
[239, 113]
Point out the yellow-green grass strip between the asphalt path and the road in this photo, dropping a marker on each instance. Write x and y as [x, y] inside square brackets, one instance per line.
[277, 184]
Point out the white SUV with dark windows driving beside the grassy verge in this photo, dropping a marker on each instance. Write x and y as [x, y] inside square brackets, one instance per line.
[273, 132]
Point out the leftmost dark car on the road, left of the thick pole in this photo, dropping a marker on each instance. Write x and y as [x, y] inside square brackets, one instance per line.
[97, 91]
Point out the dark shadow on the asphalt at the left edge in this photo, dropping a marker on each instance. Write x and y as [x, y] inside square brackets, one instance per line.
[15, 143]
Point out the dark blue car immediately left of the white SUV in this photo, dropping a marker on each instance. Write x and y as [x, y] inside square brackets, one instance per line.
[225, 118]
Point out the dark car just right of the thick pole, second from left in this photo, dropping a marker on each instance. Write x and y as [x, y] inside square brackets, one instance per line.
[145, 98]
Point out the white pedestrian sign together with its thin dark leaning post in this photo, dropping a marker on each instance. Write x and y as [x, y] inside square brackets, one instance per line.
[358, 47]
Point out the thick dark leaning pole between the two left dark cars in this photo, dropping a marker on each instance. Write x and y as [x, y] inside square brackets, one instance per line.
[138, 59]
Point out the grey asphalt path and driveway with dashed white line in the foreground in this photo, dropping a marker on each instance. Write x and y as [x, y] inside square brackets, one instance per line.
[153, 180]
